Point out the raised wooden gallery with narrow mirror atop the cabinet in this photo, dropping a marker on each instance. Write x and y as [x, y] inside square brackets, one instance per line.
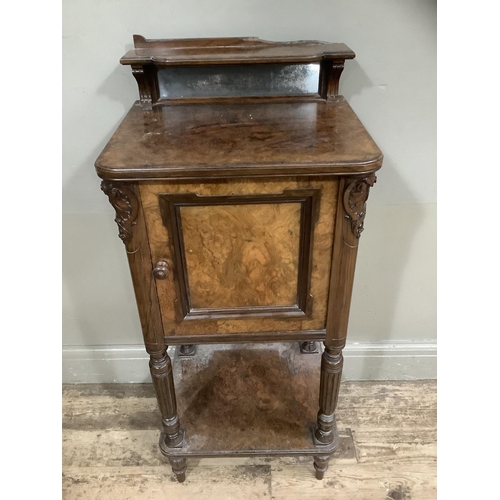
[209, 69]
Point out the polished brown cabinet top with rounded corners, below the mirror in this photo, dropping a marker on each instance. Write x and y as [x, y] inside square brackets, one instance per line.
[239, 139]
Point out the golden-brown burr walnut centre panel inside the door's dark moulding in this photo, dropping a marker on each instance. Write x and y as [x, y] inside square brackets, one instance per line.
[242, 255]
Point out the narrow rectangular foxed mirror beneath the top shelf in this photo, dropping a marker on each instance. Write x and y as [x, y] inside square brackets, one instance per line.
[250, 80]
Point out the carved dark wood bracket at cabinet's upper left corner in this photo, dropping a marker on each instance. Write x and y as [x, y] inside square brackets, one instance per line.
[126, 205]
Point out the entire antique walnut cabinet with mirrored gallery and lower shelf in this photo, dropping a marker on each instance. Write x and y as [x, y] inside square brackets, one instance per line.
[239, 182]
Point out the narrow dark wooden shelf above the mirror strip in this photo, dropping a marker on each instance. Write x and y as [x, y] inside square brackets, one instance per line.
[194, 51]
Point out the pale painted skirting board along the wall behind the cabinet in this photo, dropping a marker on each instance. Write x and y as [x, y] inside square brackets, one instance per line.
[395, 360]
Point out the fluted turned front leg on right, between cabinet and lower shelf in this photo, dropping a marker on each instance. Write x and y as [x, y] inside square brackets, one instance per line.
[331, 372]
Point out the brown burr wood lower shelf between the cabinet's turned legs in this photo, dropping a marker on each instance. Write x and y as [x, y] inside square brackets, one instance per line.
[244, 400]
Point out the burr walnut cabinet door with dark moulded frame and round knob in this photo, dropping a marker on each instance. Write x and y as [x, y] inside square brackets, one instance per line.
[241, 257]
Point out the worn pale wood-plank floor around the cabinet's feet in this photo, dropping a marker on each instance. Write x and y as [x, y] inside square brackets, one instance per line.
[110, 450]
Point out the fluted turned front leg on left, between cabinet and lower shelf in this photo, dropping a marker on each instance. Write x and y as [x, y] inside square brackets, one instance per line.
[163, 381]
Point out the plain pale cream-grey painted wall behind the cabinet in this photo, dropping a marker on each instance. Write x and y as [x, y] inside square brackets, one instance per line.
[391, 85]
